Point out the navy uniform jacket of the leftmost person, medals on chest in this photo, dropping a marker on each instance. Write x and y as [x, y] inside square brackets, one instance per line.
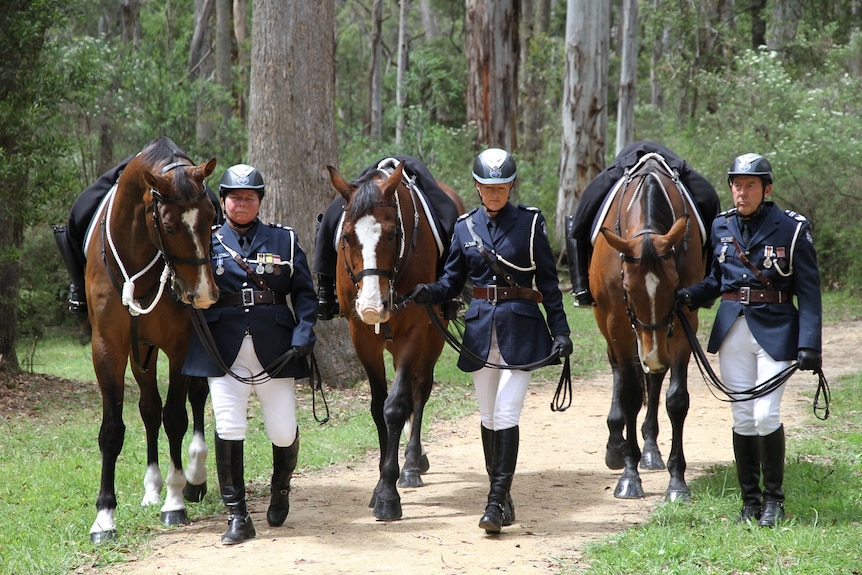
[274, 328]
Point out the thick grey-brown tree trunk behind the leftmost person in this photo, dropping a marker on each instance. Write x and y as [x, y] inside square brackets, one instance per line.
[292, 136]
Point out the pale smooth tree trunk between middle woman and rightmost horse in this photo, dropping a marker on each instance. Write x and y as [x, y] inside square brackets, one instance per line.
[584, 107]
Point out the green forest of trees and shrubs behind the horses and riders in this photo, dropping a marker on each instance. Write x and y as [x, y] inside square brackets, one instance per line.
[291, 86]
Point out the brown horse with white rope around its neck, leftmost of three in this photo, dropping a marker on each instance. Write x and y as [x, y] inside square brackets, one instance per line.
[153, 227]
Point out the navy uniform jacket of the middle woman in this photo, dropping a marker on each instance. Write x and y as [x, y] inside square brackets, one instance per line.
[524, 251]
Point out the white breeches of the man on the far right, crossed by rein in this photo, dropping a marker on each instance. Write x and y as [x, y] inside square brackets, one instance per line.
[745, 363]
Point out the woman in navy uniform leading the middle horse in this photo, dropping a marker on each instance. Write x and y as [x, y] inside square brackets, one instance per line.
[504, 250]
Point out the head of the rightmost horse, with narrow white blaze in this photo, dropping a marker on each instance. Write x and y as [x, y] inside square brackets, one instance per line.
[649, 280]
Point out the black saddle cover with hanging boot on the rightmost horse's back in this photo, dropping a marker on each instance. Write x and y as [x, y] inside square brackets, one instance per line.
[579, 226]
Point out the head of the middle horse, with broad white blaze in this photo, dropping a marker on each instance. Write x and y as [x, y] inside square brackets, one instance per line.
[371, 241]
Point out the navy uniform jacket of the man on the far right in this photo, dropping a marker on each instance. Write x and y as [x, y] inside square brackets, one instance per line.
[783, 238]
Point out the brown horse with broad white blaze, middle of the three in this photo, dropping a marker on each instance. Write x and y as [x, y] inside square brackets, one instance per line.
[387, 247]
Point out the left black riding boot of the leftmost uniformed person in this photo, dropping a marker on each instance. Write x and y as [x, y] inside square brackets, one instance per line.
[230, 469]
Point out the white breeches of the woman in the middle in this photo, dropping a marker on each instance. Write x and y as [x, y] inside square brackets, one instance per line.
[500, 392]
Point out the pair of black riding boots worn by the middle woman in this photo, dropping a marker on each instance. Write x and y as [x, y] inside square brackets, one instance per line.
[500, 510]
